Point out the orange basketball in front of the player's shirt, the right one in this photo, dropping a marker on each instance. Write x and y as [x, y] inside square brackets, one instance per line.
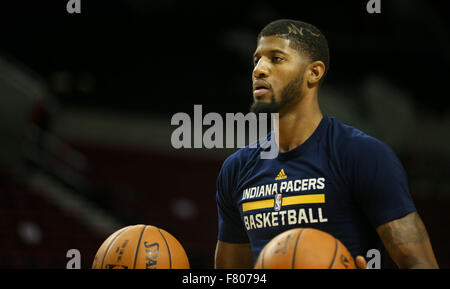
[305, 249]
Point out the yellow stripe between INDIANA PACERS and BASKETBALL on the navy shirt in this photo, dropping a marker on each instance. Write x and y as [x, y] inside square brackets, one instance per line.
[286, 201]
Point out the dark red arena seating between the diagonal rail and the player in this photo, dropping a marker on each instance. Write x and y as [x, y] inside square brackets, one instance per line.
[171, 191]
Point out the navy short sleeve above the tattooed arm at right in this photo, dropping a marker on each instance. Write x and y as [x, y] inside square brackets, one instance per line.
[378, 180]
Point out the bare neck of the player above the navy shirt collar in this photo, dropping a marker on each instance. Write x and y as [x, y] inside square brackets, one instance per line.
[297, 124]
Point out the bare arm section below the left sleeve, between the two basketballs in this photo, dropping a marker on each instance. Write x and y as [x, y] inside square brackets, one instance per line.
[233, 256]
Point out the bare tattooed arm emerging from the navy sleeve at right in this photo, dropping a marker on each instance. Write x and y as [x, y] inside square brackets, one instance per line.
[406, 239]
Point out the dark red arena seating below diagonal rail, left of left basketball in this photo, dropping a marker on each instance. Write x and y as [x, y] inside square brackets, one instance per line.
[36, 234]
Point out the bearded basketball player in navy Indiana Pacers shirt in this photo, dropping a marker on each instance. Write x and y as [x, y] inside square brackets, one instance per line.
[330, 176]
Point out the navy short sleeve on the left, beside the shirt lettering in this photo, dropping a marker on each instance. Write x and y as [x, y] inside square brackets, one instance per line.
[231, 228]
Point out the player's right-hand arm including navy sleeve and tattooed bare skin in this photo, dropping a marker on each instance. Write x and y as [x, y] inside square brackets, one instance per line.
[381, 189]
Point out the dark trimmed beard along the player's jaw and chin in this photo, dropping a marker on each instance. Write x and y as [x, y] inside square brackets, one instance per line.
[288, 95]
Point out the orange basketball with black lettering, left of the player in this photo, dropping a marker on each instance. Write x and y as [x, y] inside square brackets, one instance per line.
[141, 247]
